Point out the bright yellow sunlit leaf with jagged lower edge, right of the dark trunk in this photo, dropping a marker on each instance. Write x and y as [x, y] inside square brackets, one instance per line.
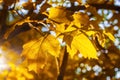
[84, 46]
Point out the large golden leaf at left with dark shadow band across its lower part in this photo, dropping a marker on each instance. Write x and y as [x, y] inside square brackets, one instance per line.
[35, 52]
